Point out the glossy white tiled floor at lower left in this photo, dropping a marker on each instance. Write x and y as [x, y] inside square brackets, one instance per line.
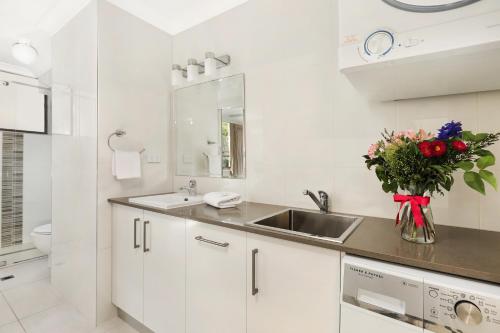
[29, 304]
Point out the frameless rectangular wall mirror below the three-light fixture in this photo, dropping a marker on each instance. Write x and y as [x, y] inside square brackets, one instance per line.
[209, 123]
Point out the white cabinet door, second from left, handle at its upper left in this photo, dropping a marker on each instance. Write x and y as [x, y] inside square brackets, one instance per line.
[164, 273]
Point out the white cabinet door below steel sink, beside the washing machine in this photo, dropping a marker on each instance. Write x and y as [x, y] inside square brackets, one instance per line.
[296, 287]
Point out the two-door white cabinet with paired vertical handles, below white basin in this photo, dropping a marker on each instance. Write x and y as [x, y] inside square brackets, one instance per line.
[149, 263]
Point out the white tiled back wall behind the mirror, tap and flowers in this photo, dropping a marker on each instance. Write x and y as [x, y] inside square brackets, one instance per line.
[307, 127]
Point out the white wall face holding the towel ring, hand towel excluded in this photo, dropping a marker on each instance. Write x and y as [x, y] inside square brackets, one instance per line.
[134, 84]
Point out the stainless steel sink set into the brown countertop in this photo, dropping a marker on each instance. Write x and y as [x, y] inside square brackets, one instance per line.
[331, 227]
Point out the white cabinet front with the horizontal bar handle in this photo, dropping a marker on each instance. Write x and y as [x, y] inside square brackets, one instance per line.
[216, 279]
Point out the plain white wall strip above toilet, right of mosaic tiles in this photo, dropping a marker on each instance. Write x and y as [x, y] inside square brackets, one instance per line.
[36, 182]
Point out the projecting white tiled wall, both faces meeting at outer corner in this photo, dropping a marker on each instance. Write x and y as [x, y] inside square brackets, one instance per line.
[126, 62]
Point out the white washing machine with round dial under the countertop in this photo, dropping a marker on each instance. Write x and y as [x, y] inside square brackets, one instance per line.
[379, 297]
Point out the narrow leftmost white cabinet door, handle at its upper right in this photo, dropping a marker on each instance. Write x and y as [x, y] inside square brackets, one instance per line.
[127, 258]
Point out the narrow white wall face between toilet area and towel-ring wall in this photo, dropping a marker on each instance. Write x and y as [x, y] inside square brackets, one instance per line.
[74, 161]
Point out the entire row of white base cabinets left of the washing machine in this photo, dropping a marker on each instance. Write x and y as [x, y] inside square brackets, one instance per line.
[176, 275]
